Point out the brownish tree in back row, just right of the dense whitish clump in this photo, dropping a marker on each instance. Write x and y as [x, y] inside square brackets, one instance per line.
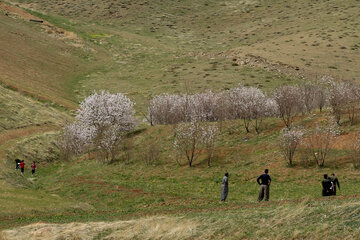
[290, 102]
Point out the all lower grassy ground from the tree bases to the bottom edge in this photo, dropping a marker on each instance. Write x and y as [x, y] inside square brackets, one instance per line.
[129, 189]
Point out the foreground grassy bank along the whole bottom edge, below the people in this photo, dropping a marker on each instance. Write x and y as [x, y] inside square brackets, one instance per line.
[305, 220]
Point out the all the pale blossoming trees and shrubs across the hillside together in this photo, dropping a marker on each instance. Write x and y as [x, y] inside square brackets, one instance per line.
[104, 119]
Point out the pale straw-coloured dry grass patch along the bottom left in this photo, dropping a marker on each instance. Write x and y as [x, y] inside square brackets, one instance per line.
[146, 228]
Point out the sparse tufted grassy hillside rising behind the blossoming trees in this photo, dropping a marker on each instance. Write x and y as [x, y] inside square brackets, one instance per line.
[149, 47]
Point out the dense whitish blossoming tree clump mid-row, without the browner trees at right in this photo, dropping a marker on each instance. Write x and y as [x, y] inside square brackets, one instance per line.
[247, 103]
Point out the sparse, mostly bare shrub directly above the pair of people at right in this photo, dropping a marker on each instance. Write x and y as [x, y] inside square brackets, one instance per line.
[319, 140]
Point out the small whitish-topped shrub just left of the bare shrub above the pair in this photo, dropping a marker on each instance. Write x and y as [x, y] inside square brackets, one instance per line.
[289, 140]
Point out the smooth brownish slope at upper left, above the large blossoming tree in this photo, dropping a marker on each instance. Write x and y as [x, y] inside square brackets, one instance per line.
[34, 62]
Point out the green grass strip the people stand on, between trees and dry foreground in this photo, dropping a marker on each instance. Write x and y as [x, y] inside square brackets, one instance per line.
[133, 189]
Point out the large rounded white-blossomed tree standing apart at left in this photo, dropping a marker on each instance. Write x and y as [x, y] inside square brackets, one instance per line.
[102, 121]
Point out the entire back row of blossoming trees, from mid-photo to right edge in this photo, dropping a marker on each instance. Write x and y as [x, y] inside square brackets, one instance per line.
[251, 105]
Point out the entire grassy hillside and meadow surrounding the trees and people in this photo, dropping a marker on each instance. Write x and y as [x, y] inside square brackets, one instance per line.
[144, 48]
